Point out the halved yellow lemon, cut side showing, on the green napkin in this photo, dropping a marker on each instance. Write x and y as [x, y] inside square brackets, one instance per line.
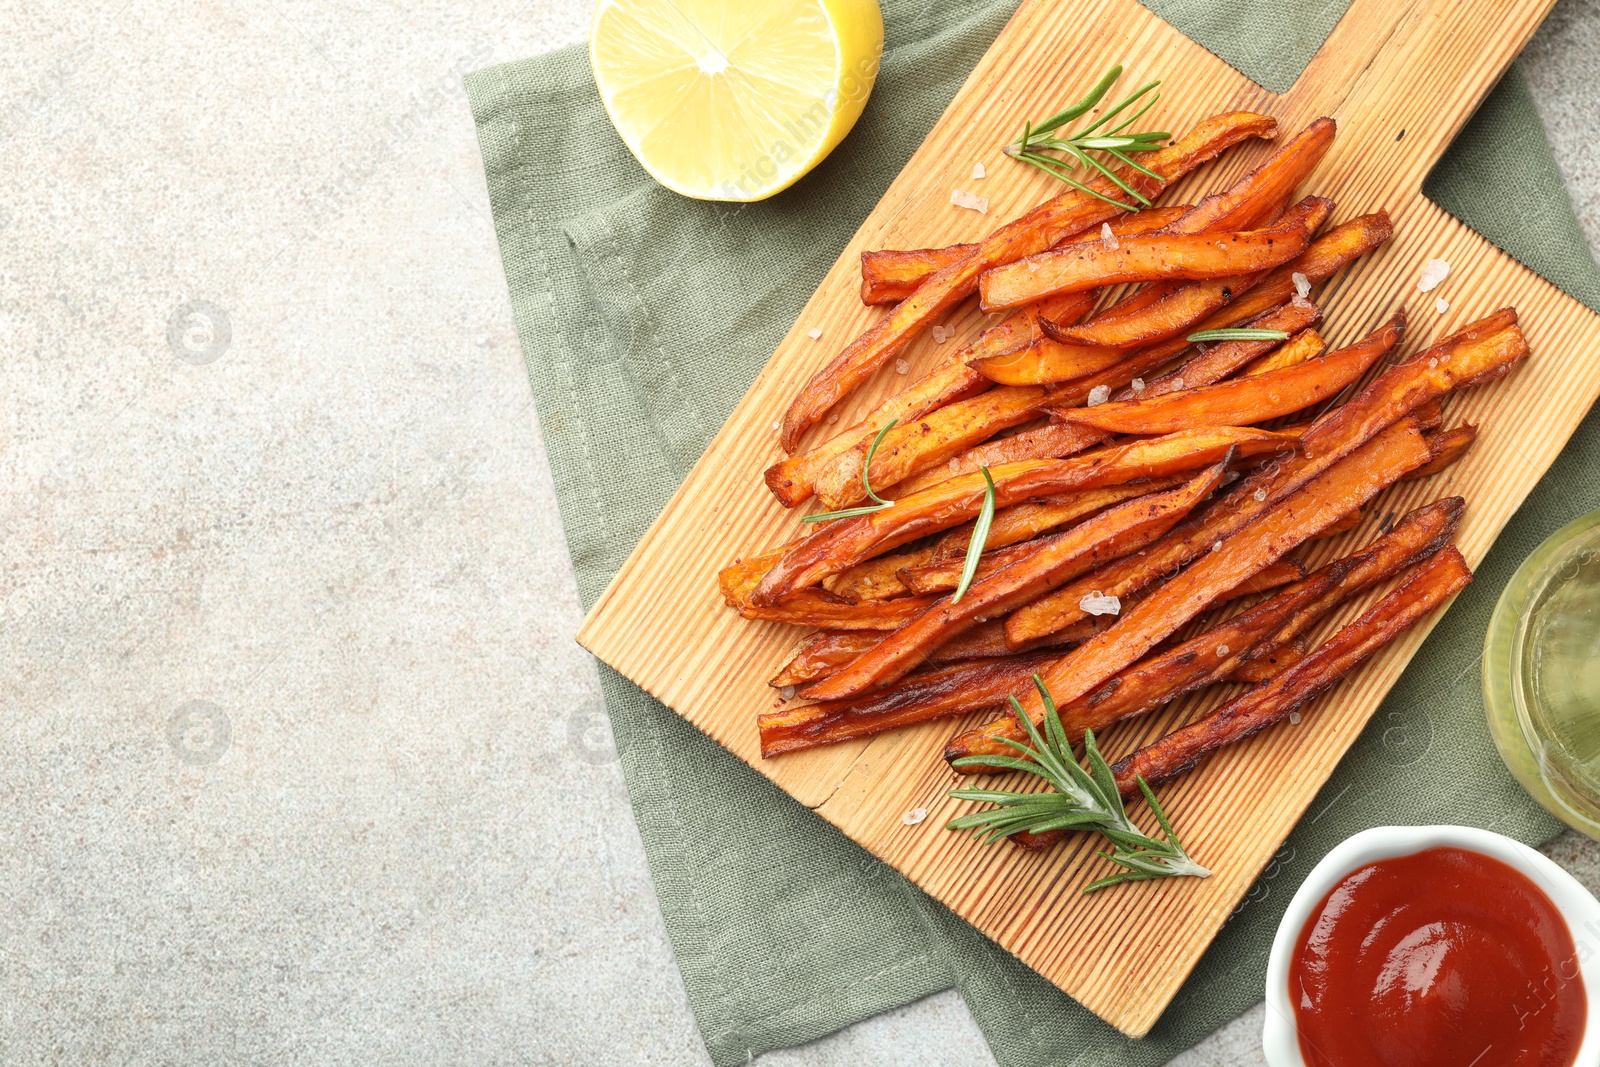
[735, 100]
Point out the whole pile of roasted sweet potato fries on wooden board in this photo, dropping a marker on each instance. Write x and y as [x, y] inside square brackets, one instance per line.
[1086, 495]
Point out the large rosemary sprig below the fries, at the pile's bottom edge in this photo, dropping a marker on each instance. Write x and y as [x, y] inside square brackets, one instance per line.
[1079, 801]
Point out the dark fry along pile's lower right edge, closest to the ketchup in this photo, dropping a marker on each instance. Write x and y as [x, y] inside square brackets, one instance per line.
[1430, 586]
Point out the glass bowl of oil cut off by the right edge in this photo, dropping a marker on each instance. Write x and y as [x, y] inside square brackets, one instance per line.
[1542, 674]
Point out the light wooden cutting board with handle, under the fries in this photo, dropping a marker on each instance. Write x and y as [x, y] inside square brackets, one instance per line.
[1402, 78]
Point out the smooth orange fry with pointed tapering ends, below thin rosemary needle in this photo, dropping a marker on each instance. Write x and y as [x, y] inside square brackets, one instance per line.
[1239, 402]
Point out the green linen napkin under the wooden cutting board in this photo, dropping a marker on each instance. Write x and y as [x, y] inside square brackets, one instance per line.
[783, 929]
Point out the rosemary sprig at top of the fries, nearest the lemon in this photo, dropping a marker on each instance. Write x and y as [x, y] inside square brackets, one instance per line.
[1038, 142]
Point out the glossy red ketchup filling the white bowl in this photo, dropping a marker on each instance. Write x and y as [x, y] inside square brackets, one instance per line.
[1441, 959]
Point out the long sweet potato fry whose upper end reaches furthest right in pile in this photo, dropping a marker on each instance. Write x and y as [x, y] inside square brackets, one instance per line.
[1486, 350]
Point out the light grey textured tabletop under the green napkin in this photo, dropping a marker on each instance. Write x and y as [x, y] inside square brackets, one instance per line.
[302, 765]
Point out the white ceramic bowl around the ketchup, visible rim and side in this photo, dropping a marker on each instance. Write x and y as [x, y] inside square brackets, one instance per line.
[1577, 905]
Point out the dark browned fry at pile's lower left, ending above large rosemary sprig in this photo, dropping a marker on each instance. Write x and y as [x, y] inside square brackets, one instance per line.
[954, 690]
